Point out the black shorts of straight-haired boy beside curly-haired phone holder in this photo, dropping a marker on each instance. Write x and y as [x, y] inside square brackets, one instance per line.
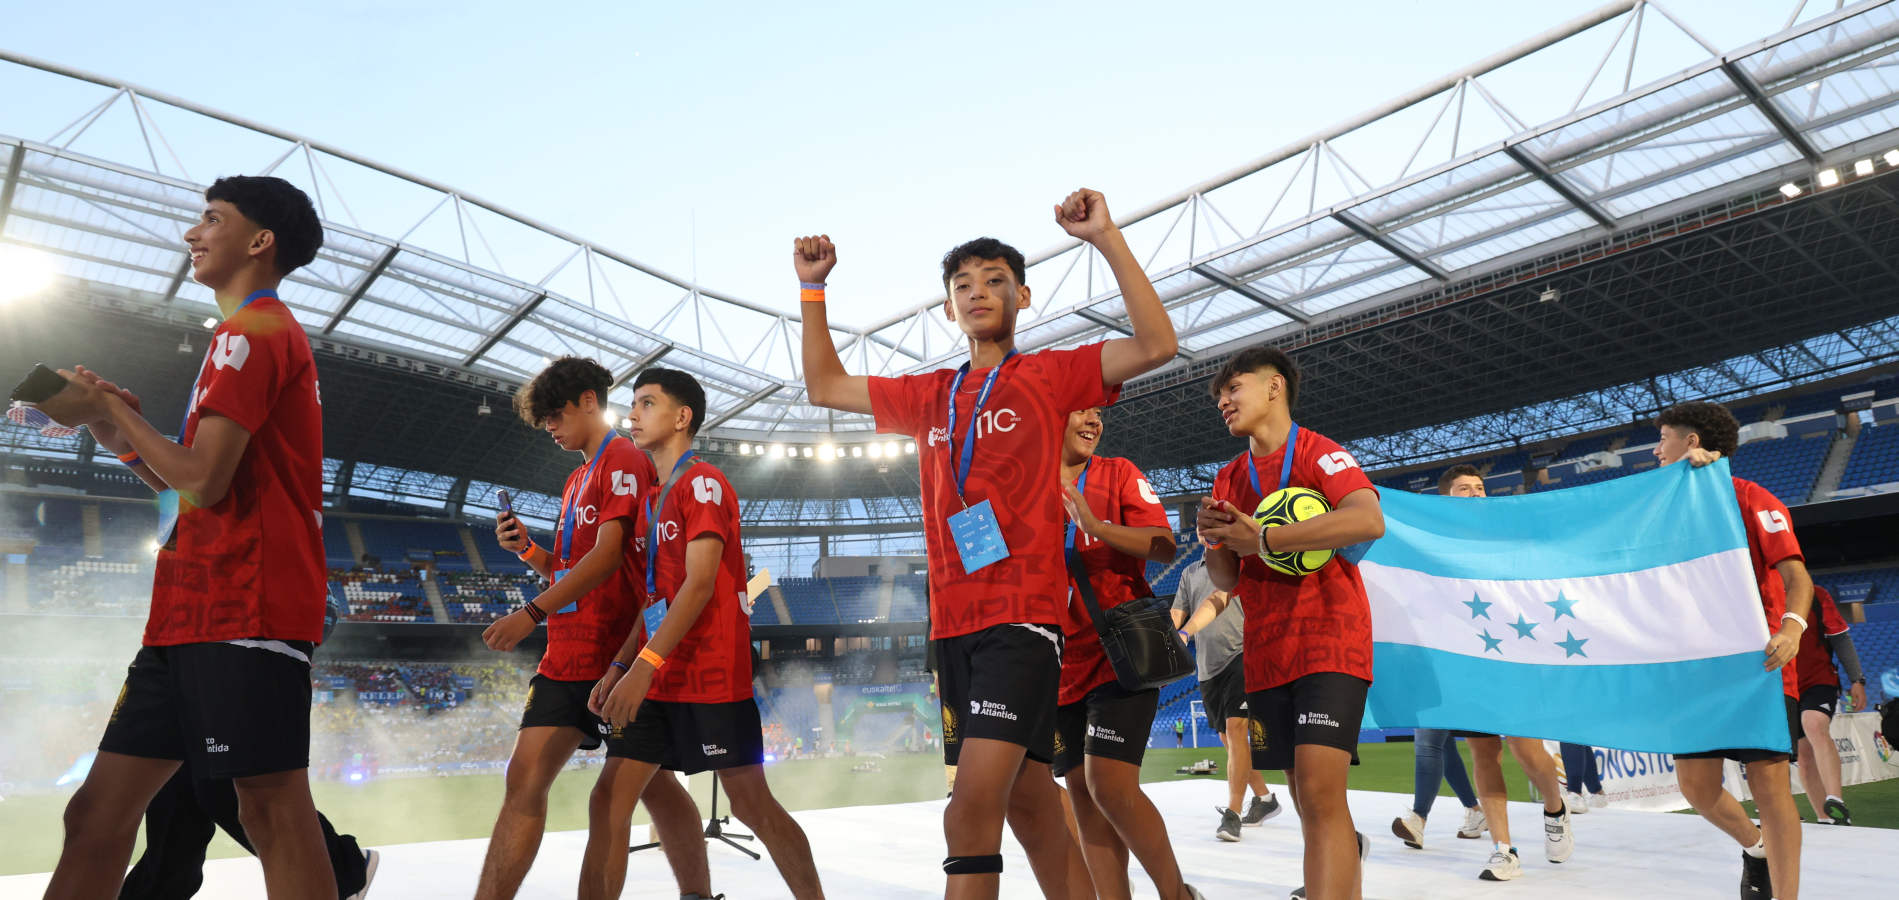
[692, 738]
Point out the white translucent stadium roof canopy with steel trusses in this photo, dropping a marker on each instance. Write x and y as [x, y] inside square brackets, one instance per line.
[1328, 227]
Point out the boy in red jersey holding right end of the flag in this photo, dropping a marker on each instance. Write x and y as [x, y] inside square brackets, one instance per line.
[1771, 853]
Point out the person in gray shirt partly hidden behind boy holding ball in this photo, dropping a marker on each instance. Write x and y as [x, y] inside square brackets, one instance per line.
[1218, 631]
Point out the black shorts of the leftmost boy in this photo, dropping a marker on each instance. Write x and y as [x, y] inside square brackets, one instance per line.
[225, 711]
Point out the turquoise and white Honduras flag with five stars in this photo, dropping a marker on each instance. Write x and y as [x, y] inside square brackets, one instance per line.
[1621, 614]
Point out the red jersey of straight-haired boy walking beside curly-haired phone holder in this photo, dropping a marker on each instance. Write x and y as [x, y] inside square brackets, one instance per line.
[713, 664]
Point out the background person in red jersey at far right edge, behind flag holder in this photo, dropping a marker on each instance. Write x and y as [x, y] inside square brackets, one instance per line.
[1820, 694]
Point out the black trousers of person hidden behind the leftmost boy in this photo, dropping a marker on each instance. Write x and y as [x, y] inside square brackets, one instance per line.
[179, 825]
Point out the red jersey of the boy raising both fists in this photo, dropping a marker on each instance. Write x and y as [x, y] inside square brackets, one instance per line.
[1017, 468]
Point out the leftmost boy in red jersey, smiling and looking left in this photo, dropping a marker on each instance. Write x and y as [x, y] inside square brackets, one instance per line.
[238, 593]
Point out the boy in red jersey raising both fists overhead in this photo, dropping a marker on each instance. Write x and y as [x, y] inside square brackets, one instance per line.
[988, 459]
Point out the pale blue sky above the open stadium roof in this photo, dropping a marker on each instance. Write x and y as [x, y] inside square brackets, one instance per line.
[705, 136]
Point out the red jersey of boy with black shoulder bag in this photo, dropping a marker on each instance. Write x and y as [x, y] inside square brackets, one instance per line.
[1119, 495]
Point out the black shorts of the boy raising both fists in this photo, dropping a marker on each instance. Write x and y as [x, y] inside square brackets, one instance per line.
[1000, 684]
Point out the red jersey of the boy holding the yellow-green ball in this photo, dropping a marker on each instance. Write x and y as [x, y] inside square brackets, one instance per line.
[1302, 626]
